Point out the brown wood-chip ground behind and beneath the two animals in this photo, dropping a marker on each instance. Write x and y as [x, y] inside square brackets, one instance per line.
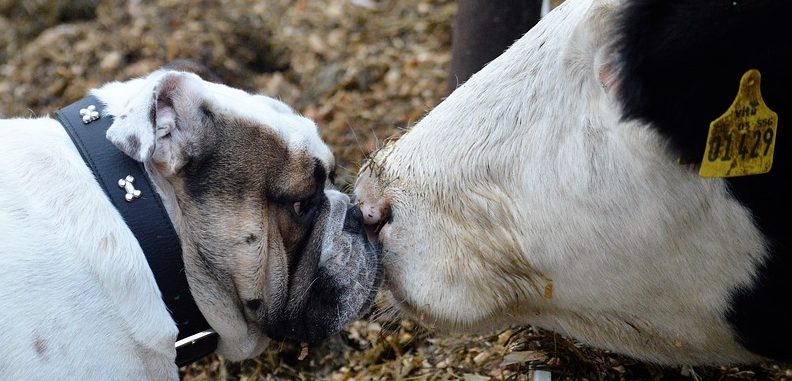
[364, 70]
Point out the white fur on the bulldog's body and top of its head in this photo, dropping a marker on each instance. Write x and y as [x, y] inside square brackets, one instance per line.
[78, 300]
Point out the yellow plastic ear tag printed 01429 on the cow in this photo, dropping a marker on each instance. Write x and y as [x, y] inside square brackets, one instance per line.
[742, 140]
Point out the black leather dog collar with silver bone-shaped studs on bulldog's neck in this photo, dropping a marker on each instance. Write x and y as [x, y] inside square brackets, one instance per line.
[125, 182]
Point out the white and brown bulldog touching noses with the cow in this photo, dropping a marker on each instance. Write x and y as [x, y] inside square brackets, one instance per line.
[271, 249]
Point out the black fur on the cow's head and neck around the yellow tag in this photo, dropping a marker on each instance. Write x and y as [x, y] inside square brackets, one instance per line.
[680, 64]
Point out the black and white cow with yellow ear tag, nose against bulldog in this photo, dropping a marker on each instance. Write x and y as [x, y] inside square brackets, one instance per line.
[565, 185]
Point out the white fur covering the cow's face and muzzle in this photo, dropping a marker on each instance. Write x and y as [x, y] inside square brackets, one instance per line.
[526, 175]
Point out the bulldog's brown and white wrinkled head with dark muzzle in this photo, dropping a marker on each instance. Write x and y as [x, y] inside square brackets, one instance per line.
[271, 249]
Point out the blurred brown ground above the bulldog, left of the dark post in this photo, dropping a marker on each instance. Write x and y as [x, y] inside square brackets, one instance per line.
[362, 69]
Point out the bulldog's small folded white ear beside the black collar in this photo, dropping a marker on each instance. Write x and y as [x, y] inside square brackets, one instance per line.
[163, 125]
